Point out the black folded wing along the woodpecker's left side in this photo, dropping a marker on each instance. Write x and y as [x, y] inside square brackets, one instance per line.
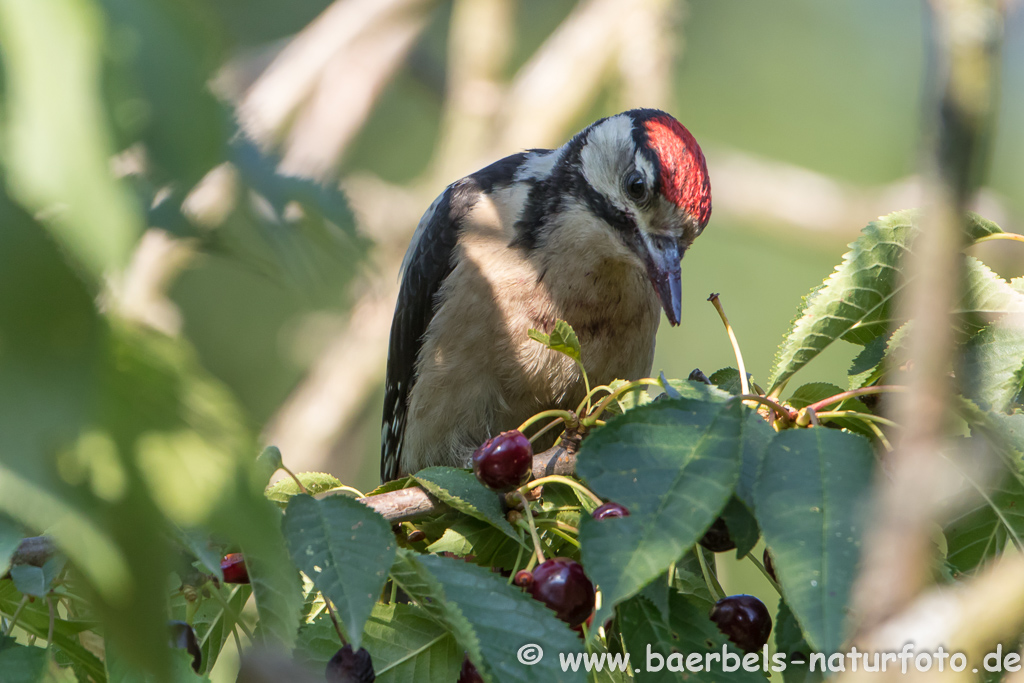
[430, 261]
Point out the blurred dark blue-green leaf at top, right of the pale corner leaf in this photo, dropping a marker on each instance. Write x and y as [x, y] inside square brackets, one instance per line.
[161, 57]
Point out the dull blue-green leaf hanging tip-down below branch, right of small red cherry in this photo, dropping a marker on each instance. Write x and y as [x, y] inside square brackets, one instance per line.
[347, 549]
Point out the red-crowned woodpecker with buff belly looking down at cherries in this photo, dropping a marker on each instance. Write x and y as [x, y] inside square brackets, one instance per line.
[591, 233]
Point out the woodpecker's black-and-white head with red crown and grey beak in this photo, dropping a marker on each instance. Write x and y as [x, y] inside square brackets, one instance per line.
[645, 177]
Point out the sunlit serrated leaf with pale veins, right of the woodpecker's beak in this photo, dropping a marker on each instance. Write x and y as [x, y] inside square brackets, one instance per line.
[856, 303]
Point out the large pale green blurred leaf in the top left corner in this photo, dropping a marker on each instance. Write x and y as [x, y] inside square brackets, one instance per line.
[56, 163]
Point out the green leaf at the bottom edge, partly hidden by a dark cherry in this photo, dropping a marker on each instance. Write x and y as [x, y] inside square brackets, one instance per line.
[404, 644]
